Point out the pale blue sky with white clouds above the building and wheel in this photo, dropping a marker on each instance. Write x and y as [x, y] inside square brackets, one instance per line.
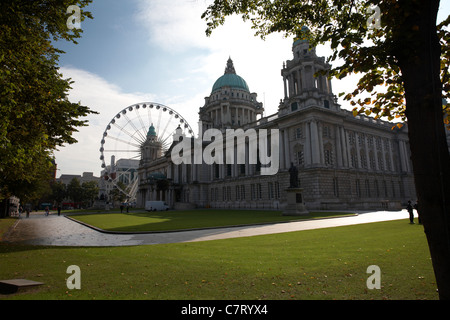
[136, 51]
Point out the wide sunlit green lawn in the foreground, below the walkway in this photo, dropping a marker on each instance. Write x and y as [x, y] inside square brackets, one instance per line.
[315, 264]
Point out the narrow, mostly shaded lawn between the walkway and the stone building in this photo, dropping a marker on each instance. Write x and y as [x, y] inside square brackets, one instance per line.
[141, 221]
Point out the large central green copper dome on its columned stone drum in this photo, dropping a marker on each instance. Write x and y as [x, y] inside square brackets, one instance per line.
[230, 105]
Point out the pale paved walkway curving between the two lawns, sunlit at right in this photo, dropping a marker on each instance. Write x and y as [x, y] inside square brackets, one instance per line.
[55, 230]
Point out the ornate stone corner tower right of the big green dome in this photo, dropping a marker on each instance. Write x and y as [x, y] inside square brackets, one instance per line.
[304, 84]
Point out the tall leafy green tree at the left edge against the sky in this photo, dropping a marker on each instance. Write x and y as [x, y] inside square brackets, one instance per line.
[37, 116]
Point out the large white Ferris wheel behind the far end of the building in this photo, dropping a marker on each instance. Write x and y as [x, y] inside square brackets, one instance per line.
[124, 135]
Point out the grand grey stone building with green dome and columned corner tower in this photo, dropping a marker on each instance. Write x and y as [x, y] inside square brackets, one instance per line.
[344, 162]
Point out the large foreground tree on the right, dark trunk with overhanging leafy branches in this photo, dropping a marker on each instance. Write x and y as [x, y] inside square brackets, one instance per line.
[408, 54]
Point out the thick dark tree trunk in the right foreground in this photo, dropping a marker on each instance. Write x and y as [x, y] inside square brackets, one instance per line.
[418, 55]
